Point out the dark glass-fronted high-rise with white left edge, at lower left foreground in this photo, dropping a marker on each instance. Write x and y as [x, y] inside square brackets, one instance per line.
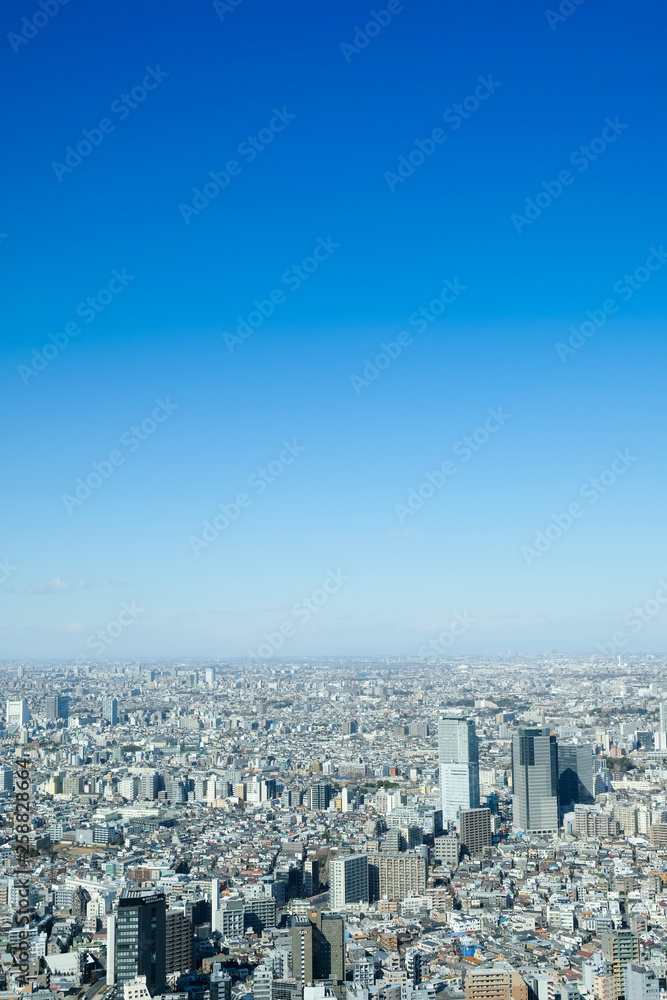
[141, 938]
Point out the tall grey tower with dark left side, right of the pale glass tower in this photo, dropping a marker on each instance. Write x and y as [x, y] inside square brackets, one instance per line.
[535, 781]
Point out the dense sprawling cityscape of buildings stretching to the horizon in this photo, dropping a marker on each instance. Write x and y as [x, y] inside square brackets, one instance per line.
[361, 829]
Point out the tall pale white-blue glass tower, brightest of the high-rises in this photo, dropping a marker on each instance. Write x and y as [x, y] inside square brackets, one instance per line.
[458, 754]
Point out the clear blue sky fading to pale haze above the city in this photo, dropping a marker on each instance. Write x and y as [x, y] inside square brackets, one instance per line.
[482, 207]
